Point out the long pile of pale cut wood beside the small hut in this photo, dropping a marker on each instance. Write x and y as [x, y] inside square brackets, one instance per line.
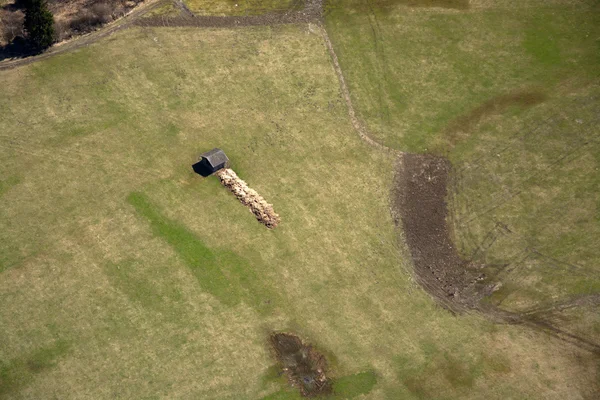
[263, 211]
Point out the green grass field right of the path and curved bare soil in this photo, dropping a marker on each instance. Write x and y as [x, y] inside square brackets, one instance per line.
[508, 91]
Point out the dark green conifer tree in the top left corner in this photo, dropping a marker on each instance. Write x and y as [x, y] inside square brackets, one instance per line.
[39, 23]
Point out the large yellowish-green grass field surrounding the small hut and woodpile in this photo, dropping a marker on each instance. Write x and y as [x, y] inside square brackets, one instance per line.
[125, 275]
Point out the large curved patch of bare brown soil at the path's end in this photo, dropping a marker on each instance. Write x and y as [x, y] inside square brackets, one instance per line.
[419, 205]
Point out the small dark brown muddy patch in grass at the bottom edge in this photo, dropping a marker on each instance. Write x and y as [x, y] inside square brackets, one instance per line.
[303, 365]
